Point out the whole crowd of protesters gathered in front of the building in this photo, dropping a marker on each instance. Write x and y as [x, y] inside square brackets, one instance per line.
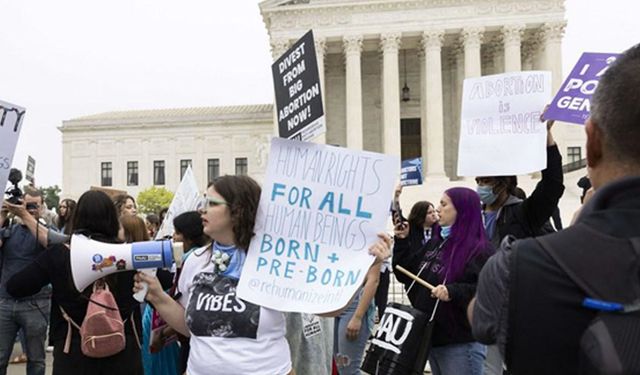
[484, 252]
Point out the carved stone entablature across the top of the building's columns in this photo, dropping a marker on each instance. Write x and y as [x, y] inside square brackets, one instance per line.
[331, 19]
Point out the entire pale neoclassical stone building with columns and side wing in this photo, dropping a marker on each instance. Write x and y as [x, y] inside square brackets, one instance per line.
[391, 72]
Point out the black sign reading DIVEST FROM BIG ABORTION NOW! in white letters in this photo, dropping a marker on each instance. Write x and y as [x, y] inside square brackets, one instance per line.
[297, 87]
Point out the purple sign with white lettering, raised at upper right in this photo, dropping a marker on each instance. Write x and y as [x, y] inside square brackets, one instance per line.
[573, 102]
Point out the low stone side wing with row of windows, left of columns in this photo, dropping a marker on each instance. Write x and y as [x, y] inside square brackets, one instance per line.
[133, 150]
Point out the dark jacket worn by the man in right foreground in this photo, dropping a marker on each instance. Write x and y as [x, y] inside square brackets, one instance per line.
[531, 305]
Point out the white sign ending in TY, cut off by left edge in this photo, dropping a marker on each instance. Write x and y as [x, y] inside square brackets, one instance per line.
[11, 117]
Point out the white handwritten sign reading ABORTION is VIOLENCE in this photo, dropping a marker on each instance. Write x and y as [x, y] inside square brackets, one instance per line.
[500, 130]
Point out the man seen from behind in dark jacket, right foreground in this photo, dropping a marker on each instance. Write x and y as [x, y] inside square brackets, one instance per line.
[529, 295]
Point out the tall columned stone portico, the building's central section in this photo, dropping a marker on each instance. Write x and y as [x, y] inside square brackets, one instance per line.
[370, 51]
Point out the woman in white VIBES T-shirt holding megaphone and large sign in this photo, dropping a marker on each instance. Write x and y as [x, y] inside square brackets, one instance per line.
[227, 334]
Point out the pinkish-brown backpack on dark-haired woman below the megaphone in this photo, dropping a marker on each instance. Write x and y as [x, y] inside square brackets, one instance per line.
[102, 330]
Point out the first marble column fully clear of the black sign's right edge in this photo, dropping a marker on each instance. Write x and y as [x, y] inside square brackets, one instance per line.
[352, 48]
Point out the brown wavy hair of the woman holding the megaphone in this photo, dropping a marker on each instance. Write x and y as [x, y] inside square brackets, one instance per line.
[242, 194]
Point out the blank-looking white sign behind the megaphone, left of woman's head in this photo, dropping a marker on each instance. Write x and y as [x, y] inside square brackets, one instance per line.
[187, 198]
